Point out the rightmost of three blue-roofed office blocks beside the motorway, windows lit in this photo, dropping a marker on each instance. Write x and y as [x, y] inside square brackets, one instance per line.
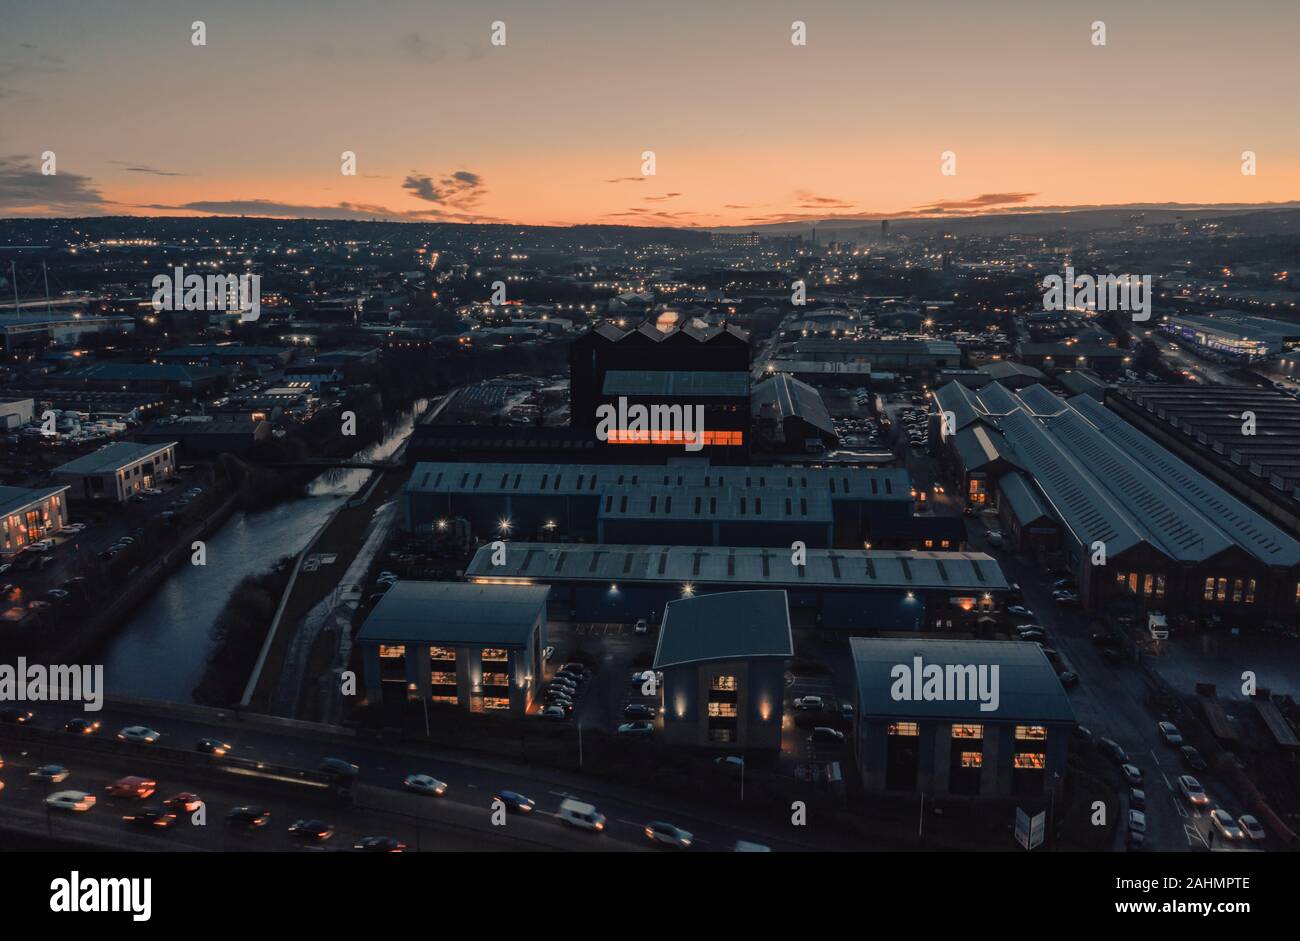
[960, 719]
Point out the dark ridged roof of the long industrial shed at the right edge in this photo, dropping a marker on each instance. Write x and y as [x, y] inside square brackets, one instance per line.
[1207, 427]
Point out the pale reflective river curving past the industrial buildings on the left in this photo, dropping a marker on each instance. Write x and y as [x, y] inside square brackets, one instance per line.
[162, 651]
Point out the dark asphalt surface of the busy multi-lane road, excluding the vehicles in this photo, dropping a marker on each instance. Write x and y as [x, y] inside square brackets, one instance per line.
[466, 808]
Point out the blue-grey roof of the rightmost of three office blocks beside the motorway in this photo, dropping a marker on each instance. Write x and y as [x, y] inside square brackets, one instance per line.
[1028, 686]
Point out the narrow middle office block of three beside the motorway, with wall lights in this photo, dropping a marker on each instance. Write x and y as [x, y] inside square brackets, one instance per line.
[723, 662]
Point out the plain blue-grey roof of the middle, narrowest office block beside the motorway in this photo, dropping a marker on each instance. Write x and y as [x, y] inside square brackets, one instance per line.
[725, 626]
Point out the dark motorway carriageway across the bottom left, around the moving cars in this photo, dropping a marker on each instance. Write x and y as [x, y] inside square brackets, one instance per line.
[461, 821]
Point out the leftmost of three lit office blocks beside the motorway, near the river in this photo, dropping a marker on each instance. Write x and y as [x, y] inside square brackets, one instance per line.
[474, 647]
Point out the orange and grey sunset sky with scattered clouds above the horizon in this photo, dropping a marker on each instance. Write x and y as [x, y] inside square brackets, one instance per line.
[551, 128]
